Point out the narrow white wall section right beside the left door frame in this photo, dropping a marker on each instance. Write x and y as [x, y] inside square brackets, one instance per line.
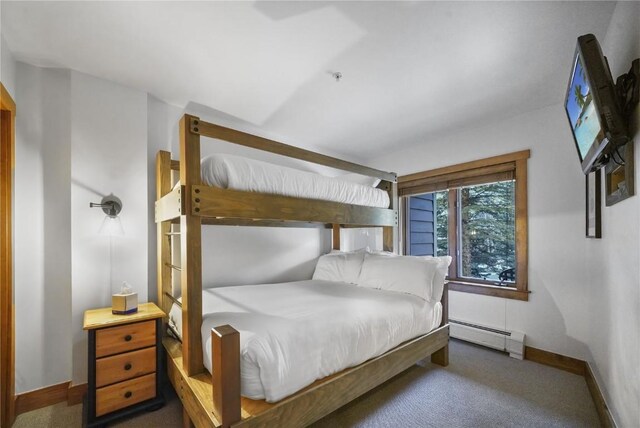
[42, 228]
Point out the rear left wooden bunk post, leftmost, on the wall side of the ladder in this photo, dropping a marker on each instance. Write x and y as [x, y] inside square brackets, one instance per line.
[163, 186]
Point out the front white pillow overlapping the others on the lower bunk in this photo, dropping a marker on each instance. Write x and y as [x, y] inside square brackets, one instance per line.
[404, 274]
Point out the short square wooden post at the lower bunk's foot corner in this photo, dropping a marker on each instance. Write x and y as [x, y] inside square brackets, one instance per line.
[225, 362]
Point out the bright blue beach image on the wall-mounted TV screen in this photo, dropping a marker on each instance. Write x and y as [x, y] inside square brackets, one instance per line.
[581, 110]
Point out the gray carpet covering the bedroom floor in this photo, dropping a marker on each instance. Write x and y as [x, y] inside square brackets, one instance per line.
[479, 388]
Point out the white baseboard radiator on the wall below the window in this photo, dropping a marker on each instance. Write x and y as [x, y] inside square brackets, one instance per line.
[508, 341]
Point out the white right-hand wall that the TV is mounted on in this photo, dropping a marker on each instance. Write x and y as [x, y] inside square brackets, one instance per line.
[613, 262]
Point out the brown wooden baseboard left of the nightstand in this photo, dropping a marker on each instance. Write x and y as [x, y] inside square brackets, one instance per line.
[49, 396]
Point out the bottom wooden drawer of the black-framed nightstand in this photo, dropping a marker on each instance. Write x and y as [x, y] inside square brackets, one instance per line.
[125, 394]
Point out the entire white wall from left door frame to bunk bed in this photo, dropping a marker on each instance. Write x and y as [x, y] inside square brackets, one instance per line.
[77, 138]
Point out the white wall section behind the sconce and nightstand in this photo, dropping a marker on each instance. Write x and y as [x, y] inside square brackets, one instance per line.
[108, 156]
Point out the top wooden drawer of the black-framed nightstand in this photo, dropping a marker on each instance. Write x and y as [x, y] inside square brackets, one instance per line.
[128, 337]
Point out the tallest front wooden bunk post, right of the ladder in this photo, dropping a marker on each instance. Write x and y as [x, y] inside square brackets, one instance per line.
[190, 243]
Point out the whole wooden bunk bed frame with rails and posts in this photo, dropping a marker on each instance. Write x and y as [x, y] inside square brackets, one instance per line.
[214, 400]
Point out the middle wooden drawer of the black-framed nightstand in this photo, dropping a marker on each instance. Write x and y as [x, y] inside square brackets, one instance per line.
[125, 366]
